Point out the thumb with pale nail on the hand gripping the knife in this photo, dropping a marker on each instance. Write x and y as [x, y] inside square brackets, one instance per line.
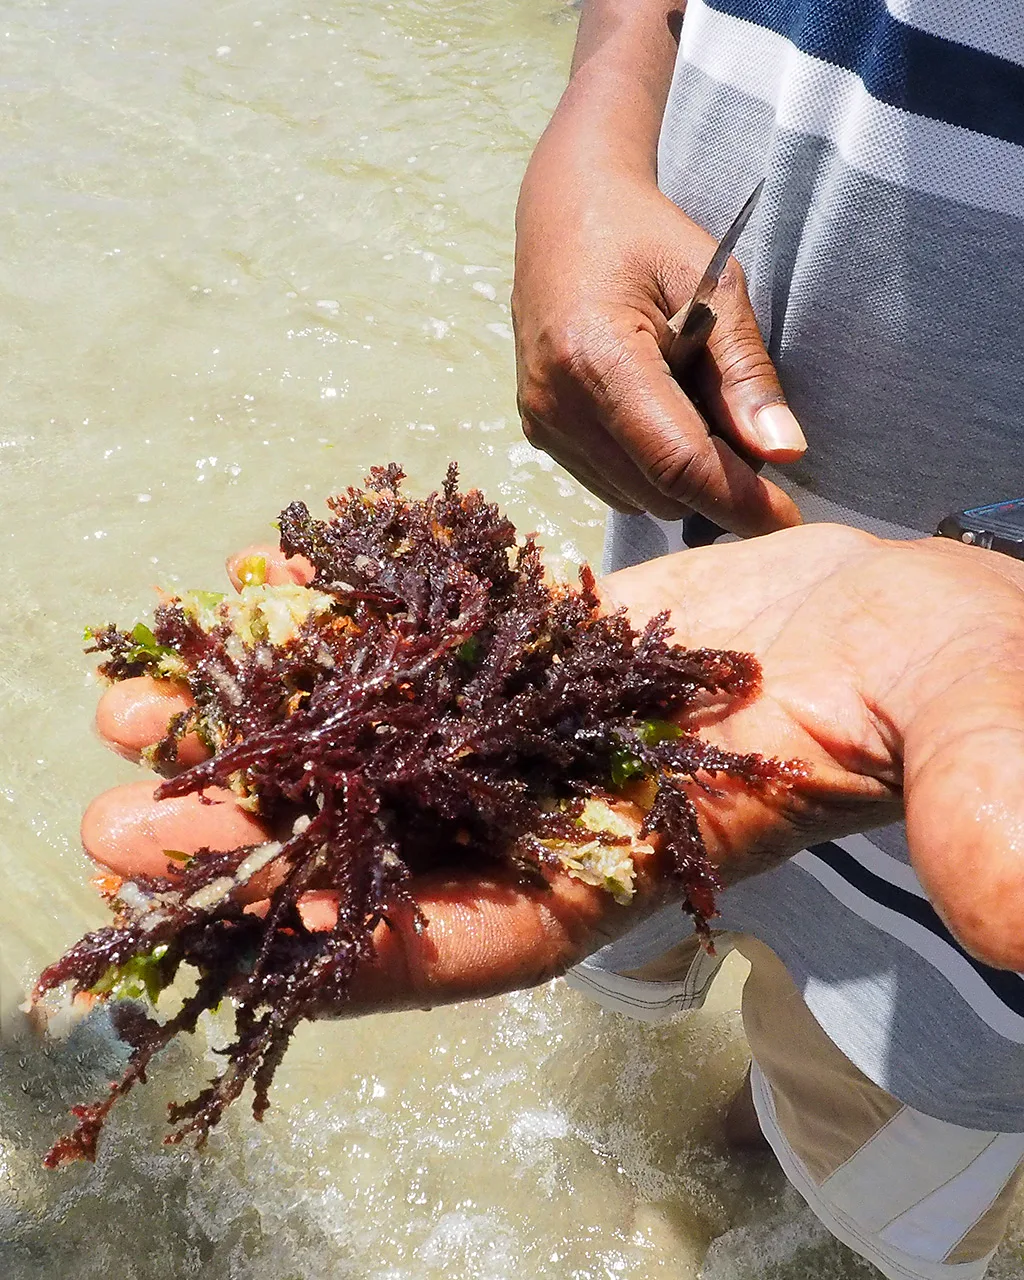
[739, 385]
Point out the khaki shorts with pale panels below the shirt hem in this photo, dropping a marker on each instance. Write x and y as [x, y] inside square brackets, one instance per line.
[921, 1199]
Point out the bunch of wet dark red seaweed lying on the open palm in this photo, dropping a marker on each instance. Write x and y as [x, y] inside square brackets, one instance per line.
[444, 707]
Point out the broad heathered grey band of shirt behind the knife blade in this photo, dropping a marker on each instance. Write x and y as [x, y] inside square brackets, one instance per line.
[899, 344]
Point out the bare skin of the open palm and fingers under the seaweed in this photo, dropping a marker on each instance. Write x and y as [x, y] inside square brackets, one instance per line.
[894, 670]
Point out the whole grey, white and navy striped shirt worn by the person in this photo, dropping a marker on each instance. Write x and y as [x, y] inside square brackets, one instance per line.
[886, 268]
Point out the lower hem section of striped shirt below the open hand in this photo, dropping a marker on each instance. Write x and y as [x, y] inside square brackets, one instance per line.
[888, 981]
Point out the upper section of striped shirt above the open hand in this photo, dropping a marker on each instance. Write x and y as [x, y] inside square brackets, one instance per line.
[886, 259]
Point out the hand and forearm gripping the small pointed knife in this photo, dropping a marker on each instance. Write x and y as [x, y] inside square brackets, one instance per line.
[604, 259]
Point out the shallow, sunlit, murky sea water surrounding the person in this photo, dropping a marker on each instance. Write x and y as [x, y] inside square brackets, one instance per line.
[248, 252]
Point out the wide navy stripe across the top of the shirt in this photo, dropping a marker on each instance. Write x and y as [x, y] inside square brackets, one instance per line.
[898, 65]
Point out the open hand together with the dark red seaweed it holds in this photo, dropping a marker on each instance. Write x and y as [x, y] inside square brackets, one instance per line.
[487, 867]
